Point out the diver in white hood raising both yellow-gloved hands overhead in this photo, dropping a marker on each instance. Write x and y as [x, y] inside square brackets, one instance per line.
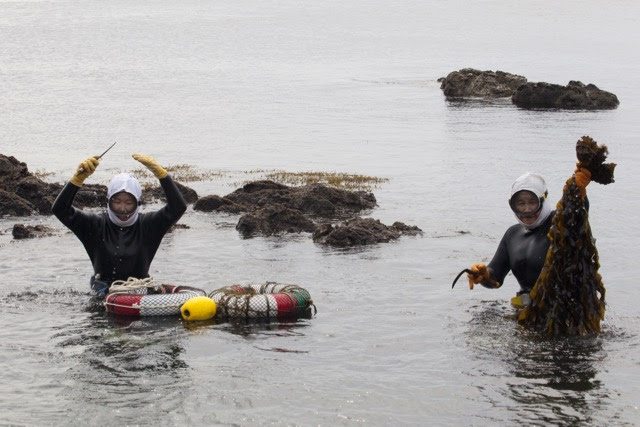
[122, 241]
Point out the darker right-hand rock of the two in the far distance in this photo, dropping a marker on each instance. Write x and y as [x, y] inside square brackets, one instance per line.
[574, 96]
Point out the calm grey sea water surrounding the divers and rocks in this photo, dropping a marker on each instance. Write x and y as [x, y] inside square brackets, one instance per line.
[232, 87]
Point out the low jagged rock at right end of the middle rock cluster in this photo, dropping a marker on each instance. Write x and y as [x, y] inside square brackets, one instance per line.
[361, 231]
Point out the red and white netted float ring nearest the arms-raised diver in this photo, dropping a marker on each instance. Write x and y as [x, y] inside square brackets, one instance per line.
[148, 298]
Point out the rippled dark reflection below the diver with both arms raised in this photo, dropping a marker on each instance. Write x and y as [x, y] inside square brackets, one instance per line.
[126, 364]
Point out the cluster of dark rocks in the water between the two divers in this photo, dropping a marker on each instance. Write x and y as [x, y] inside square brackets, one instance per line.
[270, 208]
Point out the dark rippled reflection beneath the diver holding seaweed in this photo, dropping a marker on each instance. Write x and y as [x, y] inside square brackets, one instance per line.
[551, 379]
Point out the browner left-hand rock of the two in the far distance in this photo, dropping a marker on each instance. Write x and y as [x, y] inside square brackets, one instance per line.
[469, 82]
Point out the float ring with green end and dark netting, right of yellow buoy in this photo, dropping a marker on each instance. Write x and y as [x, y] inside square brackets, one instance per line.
[269, 301]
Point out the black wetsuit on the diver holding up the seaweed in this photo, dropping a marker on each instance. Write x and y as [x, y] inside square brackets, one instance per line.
[523, 252]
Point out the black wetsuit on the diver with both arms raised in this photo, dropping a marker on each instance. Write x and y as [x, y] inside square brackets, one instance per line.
[118, 253]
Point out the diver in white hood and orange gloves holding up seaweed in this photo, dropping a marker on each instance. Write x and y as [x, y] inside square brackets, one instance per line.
[524, 246]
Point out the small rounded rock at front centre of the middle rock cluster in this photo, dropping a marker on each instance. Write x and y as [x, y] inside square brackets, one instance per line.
[274, 219]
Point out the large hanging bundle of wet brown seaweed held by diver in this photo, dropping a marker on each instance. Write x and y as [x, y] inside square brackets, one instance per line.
[568, 297]
